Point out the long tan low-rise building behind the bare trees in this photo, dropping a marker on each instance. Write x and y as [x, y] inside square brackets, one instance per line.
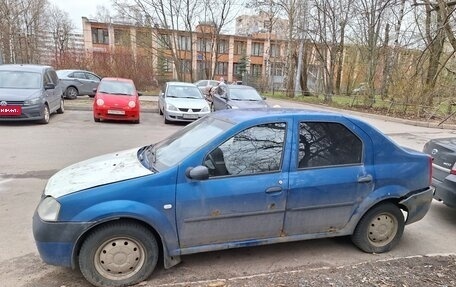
[256, 55]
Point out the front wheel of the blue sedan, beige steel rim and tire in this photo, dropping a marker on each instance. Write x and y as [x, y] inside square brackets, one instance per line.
[134, 247]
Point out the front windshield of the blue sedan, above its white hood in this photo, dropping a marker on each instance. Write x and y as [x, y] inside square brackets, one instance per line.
[186, 141]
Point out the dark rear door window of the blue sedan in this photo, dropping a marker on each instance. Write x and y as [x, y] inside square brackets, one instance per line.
[327, 144]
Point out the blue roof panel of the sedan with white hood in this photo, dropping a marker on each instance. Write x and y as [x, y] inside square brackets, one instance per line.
[241, 115]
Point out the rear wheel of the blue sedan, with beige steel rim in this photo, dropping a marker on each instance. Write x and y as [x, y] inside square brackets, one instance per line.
[380, 229]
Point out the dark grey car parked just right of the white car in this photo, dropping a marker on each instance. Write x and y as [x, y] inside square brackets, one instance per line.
[236, 97]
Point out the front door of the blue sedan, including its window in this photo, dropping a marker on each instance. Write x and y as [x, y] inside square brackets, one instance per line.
[245, 196]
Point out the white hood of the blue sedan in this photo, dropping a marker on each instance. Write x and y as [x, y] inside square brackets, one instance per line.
[96, 171]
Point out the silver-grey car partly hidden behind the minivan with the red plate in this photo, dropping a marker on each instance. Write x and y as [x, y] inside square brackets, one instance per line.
[78, 83]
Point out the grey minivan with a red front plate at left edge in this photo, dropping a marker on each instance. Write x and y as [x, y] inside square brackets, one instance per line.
[29, 92]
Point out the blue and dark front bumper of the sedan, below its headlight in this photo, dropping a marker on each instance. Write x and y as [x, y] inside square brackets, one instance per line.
[56, 241]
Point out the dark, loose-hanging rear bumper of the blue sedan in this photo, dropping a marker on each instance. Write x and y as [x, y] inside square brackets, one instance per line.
[418, 204]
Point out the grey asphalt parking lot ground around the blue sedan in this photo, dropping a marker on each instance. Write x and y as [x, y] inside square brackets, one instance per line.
[32, 153]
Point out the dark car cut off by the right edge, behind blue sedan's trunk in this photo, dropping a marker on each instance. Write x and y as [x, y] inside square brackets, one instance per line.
[443, 151]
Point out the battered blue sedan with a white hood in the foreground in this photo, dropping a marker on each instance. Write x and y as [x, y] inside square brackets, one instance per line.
[234, 178]
